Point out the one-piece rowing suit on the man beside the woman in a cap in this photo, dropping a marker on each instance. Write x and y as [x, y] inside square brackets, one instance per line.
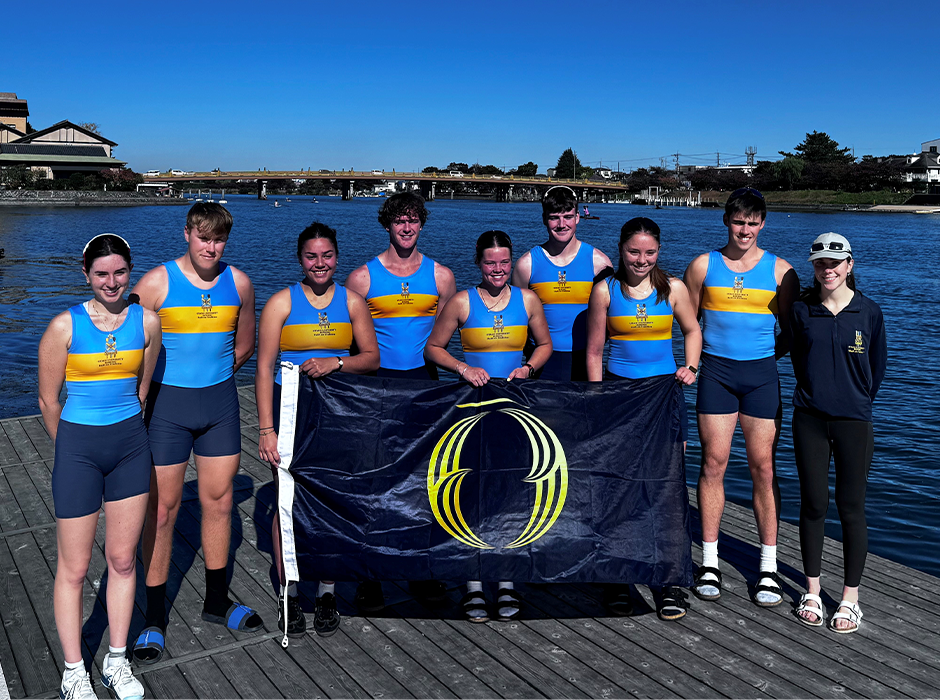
[739, 316]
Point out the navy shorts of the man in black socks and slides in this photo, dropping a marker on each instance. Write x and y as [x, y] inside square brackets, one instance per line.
[204, 421]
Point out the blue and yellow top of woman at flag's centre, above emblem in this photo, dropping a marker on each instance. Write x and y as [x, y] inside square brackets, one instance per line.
[494, 340]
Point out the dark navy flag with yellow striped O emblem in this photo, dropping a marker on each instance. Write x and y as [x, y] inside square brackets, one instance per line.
[526, 481]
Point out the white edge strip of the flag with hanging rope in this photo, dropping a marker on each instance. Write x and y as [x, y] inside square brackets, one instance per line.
[290, 380]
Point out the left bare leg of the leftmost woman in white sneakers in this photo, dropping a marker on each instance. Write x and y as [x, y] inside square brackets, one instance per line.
[74, 538]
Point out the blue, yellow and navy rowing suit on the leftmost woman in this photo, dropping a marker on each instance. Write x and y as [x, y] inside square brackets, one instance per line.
[101, 445]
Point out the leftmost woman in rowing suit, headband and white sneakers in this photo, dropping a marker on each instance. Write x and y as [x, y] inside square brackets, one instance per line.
[104, 351]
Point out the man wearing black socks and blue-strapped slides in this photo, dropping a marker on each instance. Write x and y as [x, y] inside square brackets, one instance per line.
[207, 310]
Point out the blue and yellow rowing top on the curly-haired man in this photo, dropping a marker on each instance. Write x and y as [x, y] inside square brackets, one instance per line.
[403, 311]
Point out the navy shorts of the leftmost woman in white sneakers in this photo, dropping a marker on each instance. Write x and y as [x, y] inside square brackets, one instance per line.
[92, 461]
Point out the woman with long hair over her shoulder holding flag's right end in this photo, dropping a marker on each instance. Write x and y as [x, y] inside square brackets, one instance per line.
[634, 309]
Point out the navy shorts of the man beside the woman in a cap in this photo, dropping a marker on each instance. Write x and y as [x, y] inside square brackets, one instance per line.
[751, 387]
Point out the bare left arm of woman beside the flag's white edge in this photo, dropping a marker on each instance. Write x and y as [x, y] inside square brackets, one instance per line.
[273, 316]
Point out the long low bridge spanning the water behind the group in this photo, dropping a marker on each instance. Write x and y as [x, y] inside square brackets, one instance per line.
[505, 185]
